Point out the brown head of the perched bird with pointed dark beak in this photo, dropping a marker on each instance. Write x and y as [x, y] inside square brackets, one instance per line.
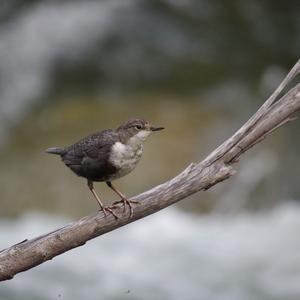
[137, 130]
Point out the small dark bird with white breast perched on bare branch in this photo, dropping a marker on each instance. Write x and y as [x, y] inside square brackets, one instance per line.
[107, 155]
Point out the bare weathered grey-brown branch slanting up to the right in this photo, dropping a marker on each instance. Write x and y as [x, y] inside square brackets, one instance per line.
[197, 176]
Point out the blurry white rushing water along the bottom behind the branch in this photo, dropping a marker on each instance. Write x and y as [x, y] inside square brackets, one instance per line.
[170, 255]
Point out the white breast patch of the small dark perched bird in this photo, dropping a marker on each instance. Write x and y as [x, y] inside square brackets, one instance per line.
[125, 158]
